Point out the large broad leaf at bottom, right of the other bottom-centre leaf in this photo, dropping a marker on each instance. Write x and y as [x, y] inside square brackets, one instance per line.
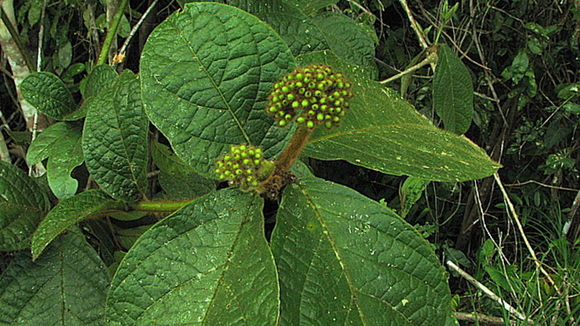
[344, 259]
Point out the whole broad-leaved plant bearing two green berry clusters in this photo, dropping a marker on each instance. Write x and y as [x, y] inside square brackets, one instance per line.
[227, 108]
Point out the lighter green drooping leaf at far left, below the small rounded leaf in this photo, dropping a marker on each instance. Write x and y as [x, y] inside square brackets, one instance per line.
[61, 144]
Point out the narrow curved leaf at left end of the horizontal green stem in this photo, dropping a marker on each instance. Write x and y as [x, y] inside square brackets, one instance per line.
[67, 213]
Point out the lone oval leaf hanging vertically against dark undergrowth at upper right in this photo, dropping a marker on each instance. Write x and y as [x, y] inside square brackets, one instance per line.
[453, 91]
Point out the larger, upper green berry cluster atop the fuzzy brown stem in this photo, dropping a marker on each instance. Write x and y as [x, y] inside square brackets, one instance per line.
[312, 95]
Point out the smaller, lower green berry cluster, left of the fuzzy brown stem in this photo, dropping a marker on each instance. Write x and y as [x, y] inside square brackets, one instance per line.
[244, 166]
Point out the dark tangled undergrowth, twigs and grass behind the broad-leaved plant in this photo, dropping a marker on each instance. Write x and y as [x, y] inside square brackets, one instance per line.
[522, 56]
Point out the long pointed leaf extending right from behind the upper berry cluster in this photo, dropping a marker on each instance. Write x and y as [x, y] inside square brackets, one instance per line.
[384, 132]
